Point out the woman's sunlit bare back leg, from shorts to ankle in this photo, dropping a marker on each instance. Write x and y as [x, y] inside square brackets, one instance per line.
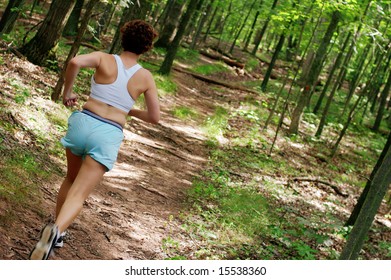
[89, 175]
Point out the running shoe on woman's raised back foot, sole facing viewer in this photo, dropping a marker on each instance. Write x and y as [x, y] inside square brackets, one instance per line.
[44, 246]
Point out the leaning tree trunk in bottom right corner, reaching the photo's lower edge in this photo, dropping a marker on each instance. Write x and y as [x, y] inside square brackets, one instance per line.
[377, 190]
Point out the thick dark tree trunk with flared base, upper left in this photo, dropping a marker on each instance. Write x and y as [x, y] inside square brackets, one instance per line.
[39, 48]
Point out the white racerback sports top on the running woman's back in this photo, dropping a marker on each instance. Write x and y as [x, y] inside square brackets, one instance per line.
[116, 94]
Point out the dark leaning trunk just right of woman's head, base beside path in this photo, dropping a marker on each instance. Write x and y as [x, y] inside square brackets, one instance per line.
[165, 68]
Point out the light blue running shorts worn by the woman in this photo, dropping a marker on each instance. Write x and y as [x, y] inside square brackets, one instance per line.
[89, 135]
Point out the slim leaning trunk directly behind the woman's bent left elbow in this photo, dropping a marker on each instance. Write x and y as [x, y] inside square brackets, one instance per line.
[75, 48]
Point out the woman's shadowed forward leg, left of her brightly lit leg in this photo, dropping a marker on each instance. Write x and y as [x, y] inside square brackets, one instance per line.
[74, 163]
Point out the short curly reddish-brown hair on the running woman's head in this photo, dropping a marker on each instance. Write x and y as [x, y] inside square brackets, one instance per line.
[137, 36]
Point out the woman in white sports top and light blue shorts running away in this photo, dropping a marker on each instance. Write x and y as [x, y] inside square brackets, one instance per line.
[95, 134]
